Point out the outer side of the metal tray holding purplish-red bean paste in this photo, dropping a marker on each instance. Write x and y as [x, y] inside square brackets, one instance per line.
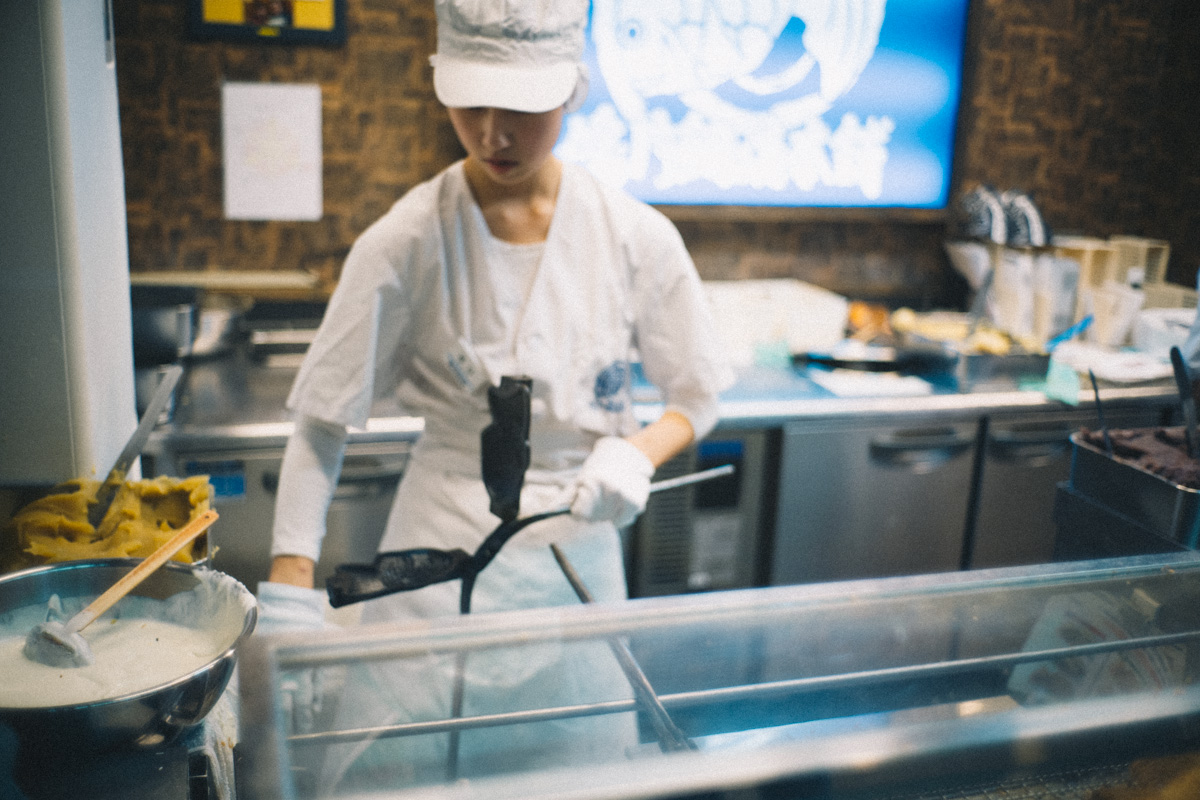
[1160, 506]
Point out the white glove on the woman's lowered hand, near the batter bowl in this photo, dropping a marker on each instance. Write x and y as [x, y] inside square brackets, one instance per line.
[286, 609]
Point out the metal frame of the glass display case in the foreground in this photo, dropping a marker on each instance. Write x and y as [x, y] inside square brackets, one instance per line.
[932, 724]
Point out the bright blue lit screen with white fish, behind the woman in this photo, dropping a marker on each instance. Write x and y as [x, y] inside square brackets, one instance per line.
[773, 103]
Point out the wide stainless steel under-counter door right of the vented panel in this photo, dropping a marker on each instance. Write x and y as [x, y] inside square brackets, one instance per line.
[862, 501]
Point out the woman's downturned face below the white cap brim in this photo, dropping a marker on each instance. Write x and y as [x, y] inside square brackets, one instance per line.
[511, 147]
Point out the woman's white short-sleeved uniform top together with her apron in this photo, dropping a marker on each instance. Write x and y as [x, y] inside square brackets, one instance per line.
[425, 309]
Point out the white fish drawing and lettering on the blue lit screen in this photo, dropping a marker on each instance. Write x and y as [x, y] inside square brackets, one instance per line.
[700, 89]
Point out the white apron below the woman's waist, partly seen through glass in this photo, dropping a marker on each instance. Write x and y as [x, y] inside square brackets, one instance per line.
[446, 512]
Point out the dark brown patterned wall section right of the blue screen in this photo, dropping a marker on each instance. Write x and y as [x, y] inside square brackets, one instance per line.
[1085, 105]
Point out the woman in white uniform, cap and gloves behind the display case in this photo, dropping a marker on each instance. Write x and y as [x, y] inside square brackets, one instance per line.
[508, 263]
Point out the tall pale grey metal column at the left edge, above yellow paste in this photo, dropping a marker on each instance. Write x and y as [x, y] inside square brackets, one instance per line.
[67, 394]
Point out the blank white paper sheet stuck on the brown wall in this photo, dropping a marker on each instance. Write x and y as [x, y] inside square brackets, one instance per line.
[272, 149]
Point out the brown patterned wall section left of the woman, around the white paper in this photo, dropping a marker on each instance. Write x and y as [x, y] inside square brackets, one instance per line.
[383, 131]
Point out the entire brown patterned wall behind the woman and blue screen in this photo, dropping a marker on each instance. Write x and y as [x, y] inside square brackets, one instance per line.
[1085, 104]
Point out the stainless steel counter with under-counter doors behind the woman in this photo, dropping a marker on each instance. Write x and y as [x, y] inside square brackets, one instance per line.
[866, 514]
